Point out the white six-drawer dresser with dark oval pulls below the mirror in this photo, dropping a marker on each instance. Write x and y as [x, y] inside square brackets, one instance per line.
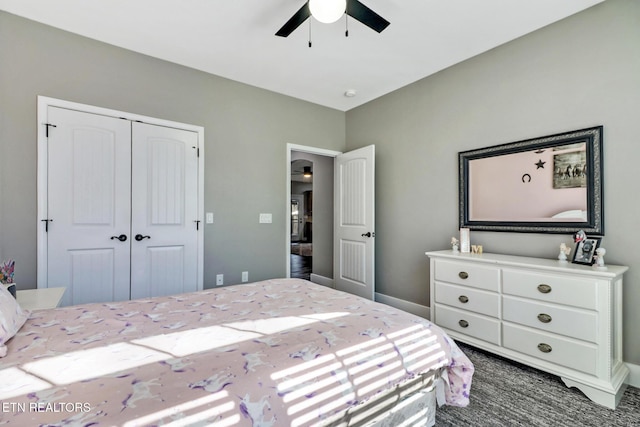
[562, 318]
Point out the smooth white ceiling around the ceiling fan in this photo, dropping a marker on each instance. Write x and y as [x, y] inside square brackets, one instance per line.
[235, 38]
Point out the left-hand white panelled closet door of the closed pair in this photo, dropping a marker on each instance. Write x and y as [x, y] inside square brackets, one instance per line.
[89, 175]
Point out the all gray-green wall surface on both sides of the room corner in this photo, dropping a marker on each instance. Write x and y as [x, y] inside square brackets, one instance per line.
[577, 73]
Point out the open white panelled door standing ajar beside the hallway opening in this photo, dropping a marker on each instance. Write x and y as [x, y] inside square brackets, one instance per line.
[354, 222]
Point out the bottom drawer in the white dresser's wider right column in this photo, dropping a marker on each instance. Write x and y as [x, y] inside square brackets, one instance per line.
[551, 348]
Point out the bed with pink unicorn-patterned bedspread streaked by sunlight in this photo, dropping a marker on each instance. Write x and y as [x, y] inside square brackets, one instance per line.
[283, 352]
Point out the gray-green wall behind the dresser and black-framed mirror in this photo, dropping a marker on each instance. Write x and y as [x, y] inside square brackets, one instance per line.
[580, 72]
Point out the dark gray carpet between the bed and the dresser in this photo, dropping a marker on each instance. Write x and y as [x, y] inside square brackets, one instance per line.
[505, 393]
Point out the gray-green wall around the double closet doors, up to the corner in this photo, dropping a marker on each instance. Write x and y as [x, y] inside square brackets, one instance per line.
[246, 132]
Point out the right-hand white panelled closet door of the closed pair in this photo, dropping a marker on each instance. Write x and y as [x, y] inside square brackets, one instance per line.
[164, 185]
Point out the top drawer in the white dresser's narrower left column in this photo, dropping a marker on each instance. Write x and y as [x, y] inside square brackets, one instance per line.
[468, 274]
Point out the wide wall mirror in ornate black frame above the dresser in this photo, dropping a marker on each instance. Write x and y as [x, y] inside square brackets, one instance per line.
[551, 184]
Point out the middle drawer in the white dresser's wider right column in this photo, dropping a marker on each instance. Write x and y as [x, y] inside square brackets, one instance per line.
[571, 322]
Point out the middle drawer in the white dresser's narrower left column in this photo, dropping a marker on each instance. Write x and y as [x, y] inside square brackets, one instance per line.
[470, 299]
